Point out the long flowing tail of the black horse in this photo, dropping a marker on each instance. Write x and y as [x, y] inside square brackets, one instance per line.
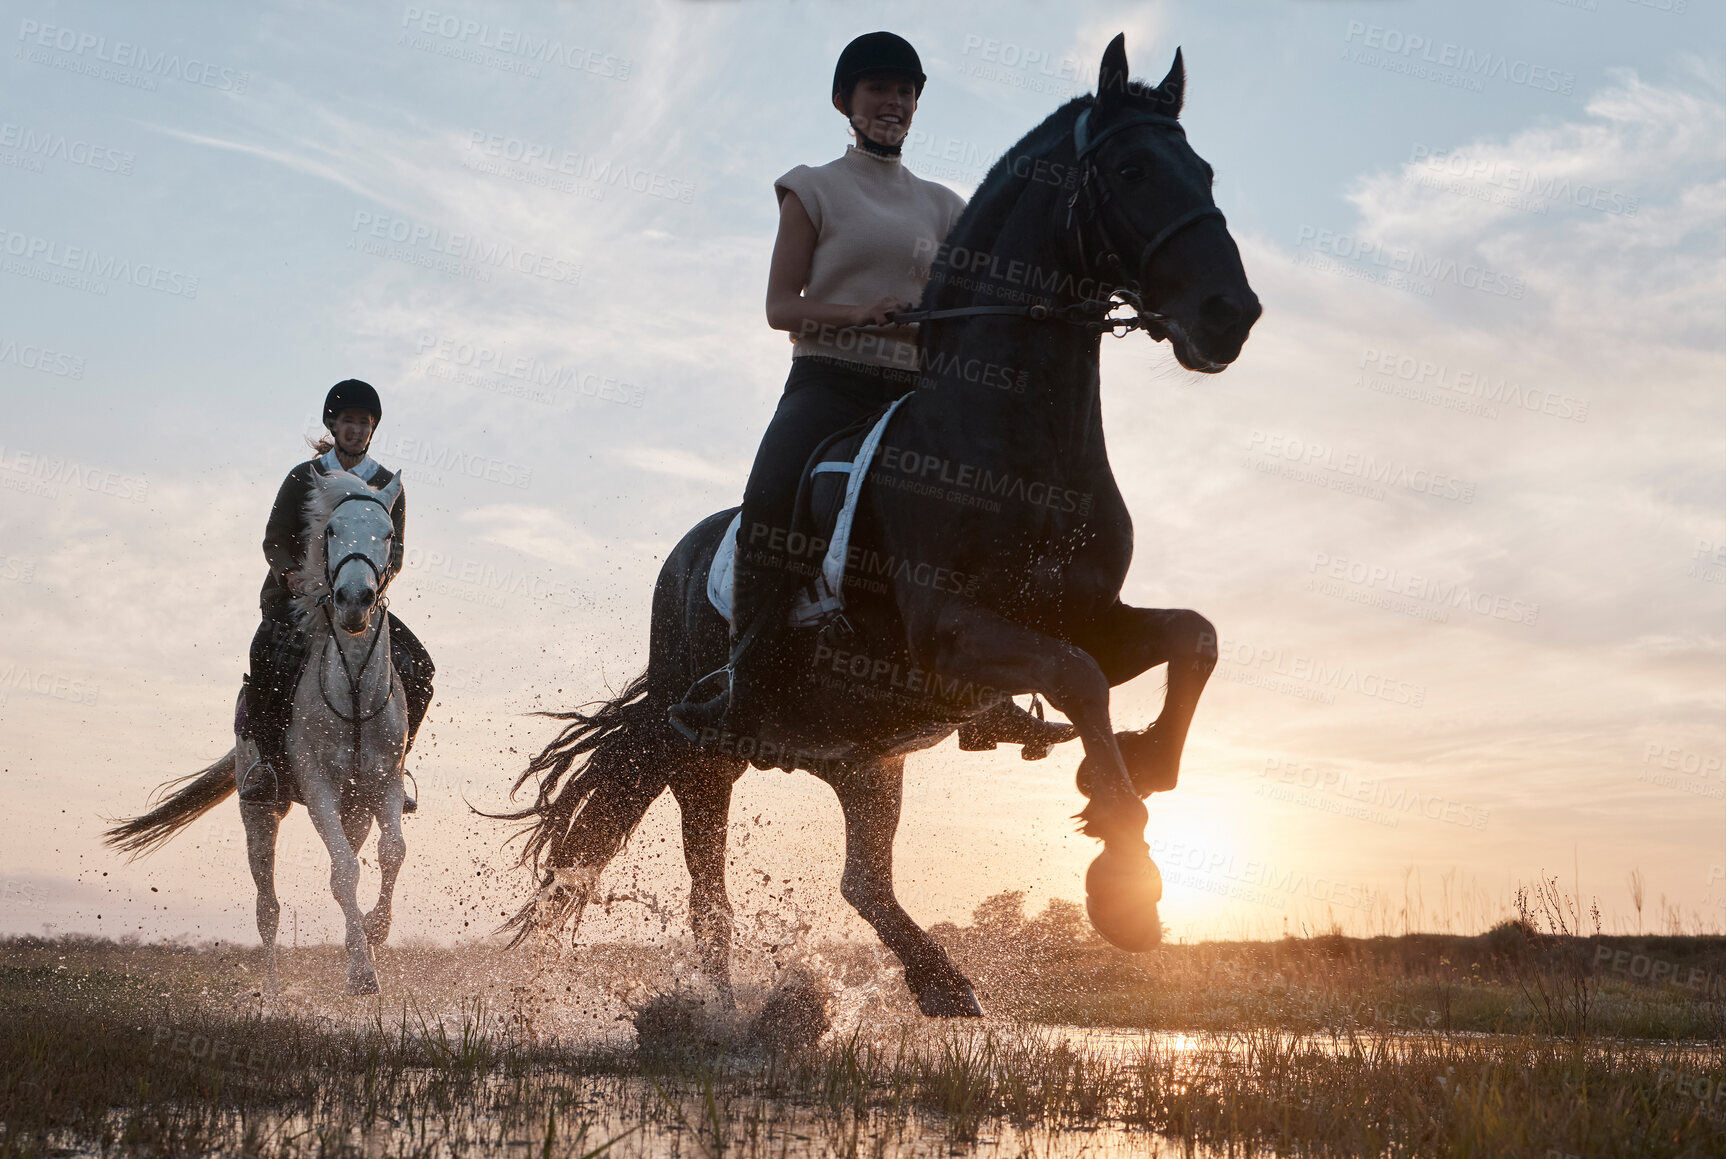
[584, 813]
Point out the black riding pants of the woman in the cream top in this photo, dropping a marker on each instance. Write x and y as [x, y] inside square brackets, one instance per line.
[822, 398]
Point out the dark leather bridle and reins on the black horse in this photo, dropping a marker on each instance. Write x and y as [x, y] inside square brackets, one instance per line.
[1085, 210]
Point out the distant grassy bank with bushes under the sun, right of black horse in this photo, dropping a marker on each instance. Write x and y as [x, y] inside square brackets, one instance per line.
[1520, 978]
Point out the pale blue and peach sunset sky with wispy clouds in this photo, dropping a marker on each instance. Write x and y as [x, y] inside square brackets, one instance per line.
[1489, 239]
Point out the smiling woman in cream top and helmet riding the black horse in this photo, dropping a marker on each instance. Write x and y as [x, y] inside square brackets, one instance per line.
[854, 250]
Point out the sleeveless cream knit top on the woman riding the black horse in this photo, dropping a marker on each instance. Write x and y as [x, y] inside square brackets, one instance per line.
[878, 231]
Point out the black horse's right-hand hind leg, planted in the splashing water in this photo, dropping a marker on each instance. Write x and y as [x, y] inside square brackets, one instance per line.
[871, 801]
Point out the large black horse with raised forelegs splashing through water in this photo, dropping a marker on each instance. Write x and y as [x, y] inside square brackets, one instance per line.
[1005, 545]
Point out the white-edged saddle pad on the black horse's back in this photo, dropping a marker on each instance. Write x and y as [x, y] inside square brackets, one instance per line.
[828, 502]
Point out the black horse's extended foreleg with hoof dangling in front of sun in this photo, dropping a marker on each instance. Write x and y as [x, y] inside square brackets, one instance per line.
[981, 652]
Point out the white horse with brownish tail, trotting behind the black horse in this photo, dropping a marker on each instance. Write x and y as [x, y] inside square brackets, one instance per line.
[350, 733]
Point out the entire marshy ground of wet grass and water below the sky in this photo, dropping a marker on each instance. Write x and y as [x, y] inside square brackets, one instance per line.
[1509, 1044]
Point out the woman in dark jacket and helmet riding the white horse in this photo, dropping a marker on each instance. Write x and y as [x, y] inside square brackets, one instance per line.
[279, 647]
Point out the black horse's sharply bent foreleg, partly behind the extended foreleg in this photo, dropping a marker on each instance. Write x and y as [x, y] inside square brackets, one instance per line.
[1126, 642]
